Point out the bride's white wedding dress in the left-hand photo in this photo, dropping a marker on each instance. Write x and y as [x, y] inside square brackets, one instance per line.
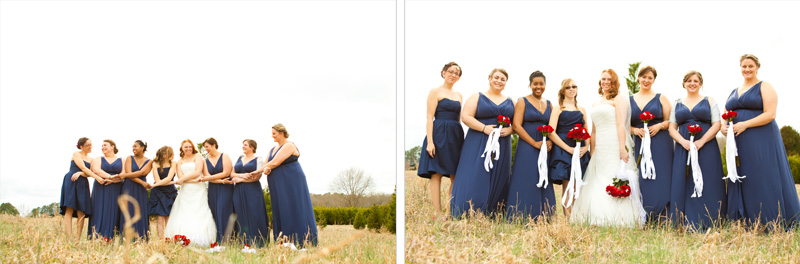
[190, 215]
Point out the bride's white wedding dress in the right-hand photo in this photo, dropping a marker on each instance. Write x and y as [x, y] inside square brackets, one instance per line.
[594, 206]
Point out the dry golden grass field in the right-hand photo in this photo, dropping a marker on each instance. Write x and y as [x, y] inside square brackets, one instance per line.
[479, 239]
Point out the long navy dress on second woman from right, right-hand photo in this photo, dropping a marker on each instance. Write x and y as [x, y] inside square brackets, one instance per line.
[699, 212]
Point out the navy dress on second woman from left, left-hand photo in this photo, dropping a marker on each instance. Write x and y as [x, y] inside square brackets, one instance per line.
[105, 220]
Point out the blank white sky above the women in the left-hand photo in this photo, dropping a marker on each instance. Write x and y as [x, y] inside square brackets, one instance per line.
[166, 71]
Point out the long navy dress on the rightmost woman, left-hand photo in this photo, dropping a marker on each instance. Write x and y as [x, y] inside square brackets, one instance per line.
[292, 212]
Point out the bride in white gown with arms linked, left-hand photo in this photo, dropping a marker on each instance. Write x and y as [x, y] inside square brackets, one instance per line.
[190, 214]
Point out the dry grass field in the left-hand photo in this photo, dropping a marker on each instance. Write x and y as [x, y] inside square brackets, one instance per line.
[41, 240]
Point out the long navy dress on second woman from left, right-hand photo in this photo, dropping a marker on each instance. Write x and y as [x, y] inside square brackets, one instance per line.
[483, 191]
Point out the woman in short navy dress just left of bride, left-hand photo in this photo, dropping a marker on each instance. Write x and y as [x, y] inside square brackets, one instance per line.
[163, 192]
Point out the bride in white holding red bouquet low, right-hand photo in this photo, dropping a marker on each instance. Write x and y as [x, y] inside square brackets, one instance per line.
[609, 147]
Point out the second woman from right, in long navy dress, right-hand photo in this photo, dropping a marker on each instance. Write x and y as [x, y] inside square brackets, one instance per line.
[705, 211]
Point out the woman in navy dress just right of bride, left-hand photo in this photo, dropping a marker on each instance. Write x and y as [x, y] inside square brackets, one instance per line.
[220, 191]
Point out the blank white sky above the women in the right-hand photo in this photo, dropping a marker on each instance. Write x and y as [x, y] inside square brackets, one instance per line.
[574, 39]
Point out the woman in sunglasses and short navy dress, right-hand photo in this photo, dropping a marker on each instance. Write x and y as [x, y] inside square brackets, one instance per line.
[563, 119]
